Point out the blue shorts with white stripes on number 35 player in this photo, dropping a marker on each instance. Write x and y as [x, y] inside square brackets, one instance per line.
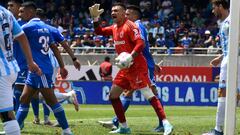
[39, 82]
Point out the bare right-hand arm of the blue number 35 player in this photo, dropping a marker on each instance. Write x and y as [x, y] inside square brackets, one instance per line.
[63, 71]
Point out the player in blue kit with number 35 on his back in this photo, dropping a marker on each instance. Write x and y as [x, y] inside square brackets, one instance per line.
[40, 40]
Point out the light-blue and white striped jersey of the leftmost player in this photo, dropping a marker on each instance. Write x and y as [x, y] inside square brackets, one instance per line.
[9, 29]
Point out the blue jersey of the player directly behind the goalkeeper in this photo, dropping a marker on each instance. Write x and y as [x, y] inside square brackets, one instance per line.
[146, 51]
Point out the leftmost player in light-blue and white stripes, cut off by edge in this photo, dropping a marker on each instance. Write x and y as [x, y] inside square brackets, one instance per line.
[10, 30]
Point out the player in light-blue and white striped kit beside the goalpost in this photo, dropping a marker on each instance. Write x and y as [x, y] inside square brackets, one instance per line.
[220, 9]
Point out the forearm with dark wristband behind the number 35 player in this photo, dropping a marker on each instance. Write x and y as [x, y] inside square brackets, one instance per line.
[76, 62]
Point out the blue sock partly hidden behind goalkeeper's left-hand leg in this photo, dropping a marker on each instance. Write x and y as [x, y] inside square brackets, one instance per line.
[125, 102]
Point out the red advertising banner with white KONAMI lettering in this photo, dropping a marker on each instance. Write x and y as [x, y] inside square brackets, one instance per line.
[185, 74]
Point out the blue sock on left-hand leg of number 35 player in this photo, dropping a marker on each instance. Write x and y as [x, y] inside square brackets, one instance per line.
[22, 113]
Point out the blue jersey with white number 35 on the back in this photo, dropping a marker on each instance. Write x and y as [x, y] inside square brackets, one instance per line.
[39, 38]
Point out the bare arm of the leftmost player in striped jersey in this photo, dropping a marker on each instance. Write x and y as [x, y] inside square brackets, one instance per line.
[32, 66]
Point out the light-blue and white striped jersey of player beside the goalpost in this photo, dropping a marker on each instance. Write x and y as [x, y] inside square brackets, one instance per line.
[224, 35]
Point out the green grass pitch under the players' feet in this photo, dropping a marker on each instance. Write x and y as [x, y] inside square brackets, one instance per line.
[141, 119]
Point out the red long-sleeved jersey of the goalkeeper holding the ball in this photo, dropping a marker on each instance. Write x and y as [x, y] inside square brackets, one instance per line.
[125, 39]
